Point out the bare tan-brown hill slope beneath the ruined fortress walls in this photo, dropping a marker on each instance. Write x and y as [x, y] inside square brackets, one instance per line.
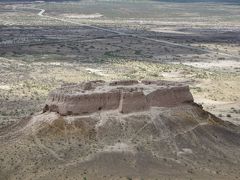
[174, 142]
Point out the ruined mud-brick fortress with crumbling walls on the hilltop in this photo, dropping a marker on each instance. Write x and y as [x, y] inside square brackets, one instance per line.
[125, 96]
